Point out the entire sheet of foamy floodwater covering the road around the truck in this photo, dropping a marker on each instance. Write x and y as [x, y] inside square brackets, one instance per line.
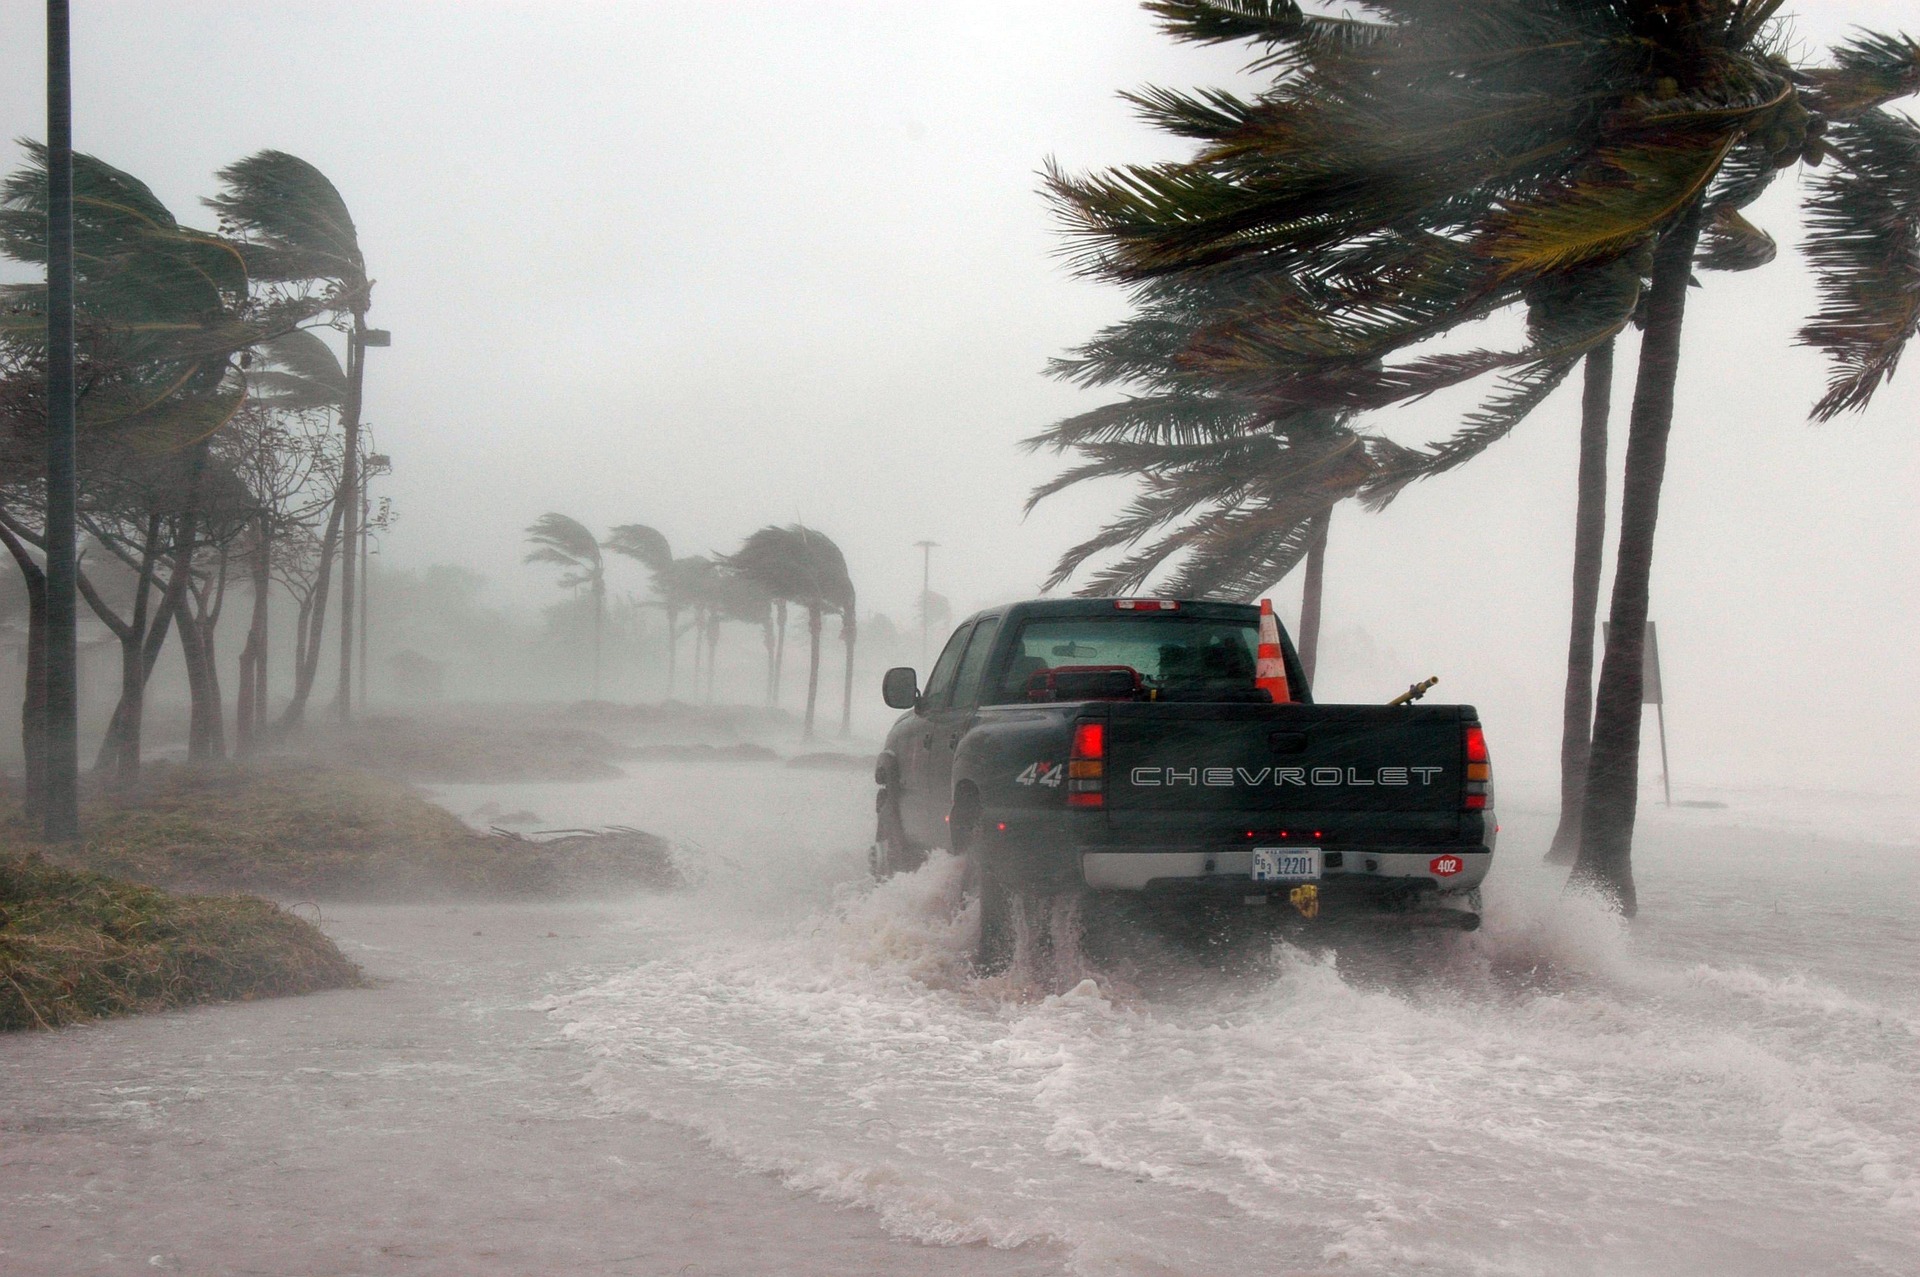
[1727, 1086]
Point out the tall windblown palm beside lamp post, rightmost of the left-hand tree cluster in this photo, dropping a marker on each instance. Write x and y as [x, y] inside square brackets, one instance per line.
[297, 229]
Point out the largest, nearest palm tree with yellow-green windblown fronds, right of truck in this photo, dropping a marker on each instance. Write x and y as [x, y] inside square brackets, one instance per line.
[1449, 160]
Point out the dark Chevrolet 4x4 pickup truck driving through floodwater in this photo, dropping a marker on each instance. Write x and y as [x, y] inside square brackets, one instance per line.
[1124, 746]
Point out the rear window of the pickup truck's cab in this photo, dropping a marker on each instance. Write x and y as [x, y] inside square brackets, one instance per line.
[1174, 656]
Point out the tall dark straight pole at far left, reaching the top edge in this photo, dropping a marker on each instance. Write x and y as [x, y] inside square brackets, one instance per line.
[60, 738]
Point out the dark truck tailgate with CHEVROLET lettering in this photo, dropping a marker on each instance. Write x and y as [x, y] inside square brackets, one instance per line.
[1268, 767]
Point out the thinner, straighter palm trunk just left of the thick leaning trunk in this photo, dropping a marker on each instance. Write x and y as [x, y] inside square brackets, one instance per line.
[1589, 548]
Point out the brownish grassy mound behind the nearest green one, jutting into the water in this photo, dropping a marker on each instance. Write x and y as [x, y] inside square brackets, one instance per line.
[304, 832]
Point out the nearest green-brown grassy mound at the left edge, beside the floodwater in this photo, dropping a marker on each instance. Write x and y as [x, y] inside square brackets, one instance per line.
[78, 946]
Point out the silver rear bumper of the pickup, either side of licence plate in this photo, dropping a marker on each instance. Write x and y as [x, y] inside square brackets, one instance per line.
[1381, 871]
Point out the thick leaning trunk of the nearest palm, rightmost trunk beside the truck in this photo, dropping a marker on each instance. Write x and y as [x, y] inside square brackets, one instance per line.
[1614, 769]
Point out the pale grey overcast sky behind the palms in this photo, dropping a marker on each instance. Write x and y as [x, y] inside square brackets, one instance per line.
[723, 266]
